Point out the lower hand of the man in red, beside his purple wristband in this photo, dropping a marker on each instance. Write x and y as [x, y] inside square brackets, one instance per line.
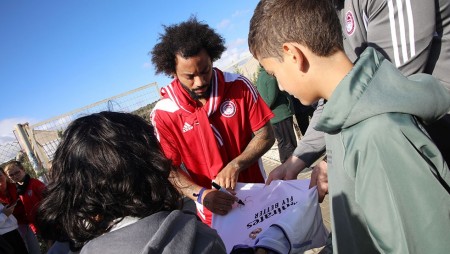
[218, 202]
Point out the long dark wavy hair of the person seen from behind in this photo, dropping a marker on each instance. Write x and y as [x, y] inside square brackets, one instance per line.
[108, 165]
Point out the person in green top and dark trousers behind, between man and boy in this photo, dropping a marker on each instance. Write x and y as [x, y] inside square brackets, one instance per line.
[282, 107]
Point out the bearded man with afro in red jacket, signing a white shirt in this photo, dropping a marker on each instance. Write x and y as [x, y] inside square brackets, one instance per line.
[212, 124]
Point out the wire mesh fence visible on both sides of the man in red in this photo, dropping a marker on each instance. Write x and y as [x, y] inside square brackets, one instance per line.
[44, 136]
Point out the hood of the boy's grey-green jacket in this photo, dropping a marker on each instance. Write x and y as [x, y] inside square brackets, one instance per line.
[375, 86]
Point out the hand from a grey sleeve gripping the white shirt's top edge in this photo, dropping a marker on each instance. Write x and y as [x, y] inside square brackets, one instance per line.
[289, 170]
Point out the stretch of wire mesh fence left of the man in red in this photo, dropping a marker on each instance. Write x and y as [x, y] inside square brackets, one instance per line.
[43, 138]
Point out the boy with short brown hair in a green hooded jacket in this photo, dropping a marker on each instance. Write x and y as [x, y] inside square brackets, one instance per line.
[384, 171]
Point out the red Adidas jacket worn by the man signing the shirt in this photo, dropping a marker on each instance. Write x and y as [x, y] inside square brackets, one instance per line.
[206, 137]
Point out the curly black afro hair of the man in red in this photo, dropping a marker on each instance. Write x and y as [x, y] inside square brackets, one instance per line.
[186, 38]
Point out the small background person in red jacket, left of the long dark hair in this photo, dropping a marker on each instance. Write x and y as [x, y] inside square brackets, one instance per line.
[29, 192]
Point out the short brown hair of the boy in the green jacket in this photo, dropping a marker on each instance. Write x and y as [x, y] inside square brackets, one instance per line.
[312, 23]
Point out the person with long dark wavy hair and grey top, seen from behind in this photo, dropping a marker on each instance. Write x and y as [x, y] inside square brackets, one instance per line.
[109, 191]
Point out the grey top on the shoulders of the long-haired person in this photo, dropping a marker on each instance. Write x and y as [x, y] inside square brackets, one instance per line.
[162, 232]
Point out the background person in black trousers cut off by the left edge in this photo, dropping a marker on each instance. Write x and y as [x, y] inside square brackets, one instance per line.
[10, 240]
